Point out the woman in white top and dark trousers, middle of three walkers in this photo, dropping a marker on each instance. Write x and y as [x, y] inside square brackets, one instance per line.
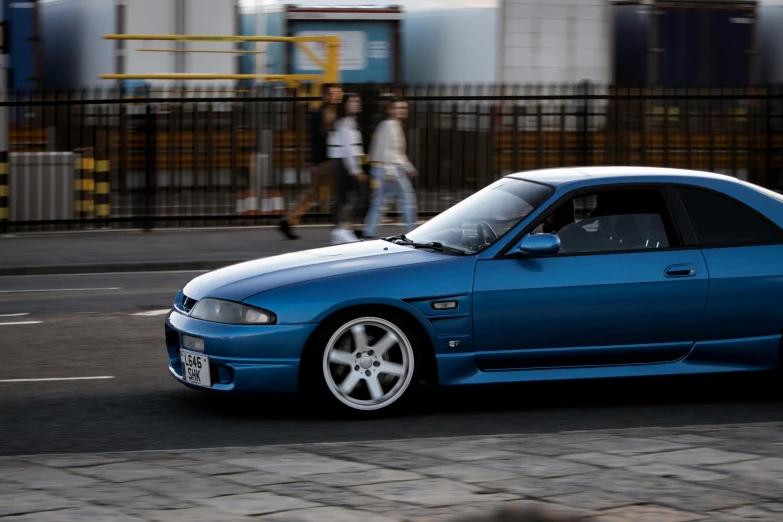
[346, 150]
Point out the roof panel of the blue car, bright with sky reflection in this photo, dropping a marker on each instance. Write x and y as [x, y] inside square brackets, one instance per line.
[559, 176]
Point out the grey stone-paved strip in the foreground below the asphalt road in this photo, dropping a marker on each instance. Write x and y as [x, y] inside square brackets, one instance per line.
[726, 472]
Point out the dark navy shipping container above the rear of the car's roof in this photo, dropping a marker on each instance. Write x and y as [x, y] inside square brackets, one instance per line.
[685, 43]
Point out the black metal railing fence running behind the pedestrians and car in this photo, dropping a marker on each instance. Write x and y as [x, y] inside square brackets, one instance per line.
[211, 157]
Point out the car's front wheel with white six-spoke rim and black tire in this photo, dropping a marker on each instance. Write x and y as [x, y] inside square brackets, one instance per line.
[363, 365]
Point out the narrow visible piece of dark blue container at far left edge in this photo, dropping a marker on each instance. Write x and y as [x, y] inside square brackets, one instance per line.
[24, 44]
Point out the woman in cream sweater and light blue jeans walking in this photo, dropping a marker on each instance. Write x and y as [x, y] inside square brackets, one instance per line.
[390, 169]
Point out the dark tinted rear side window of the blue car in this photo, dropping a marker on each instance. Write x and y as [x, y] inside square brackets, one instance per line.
[721, 222]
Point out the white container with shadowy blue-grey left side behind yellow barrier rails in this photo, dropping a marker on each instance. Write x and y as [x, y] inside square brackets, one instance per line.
[76, 54]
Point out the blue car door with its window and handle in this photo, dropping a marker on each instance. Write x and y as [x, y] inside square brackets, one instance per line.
[627, 287]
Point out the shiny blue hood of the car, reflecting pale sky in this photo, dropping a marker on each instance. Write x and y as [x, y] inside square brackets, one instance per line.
[244, 280]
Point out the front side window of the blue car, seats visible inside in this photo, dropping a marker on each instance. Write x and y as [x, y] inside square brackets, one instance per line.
[612, 221]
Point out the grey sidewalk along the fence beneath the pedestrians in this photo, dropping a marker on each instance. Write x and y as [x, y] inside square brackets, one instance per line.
[163, 249]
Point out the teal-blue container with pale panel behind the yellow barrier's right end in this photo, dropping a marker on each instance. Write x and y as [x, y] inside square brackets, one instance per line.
[370, 41]
